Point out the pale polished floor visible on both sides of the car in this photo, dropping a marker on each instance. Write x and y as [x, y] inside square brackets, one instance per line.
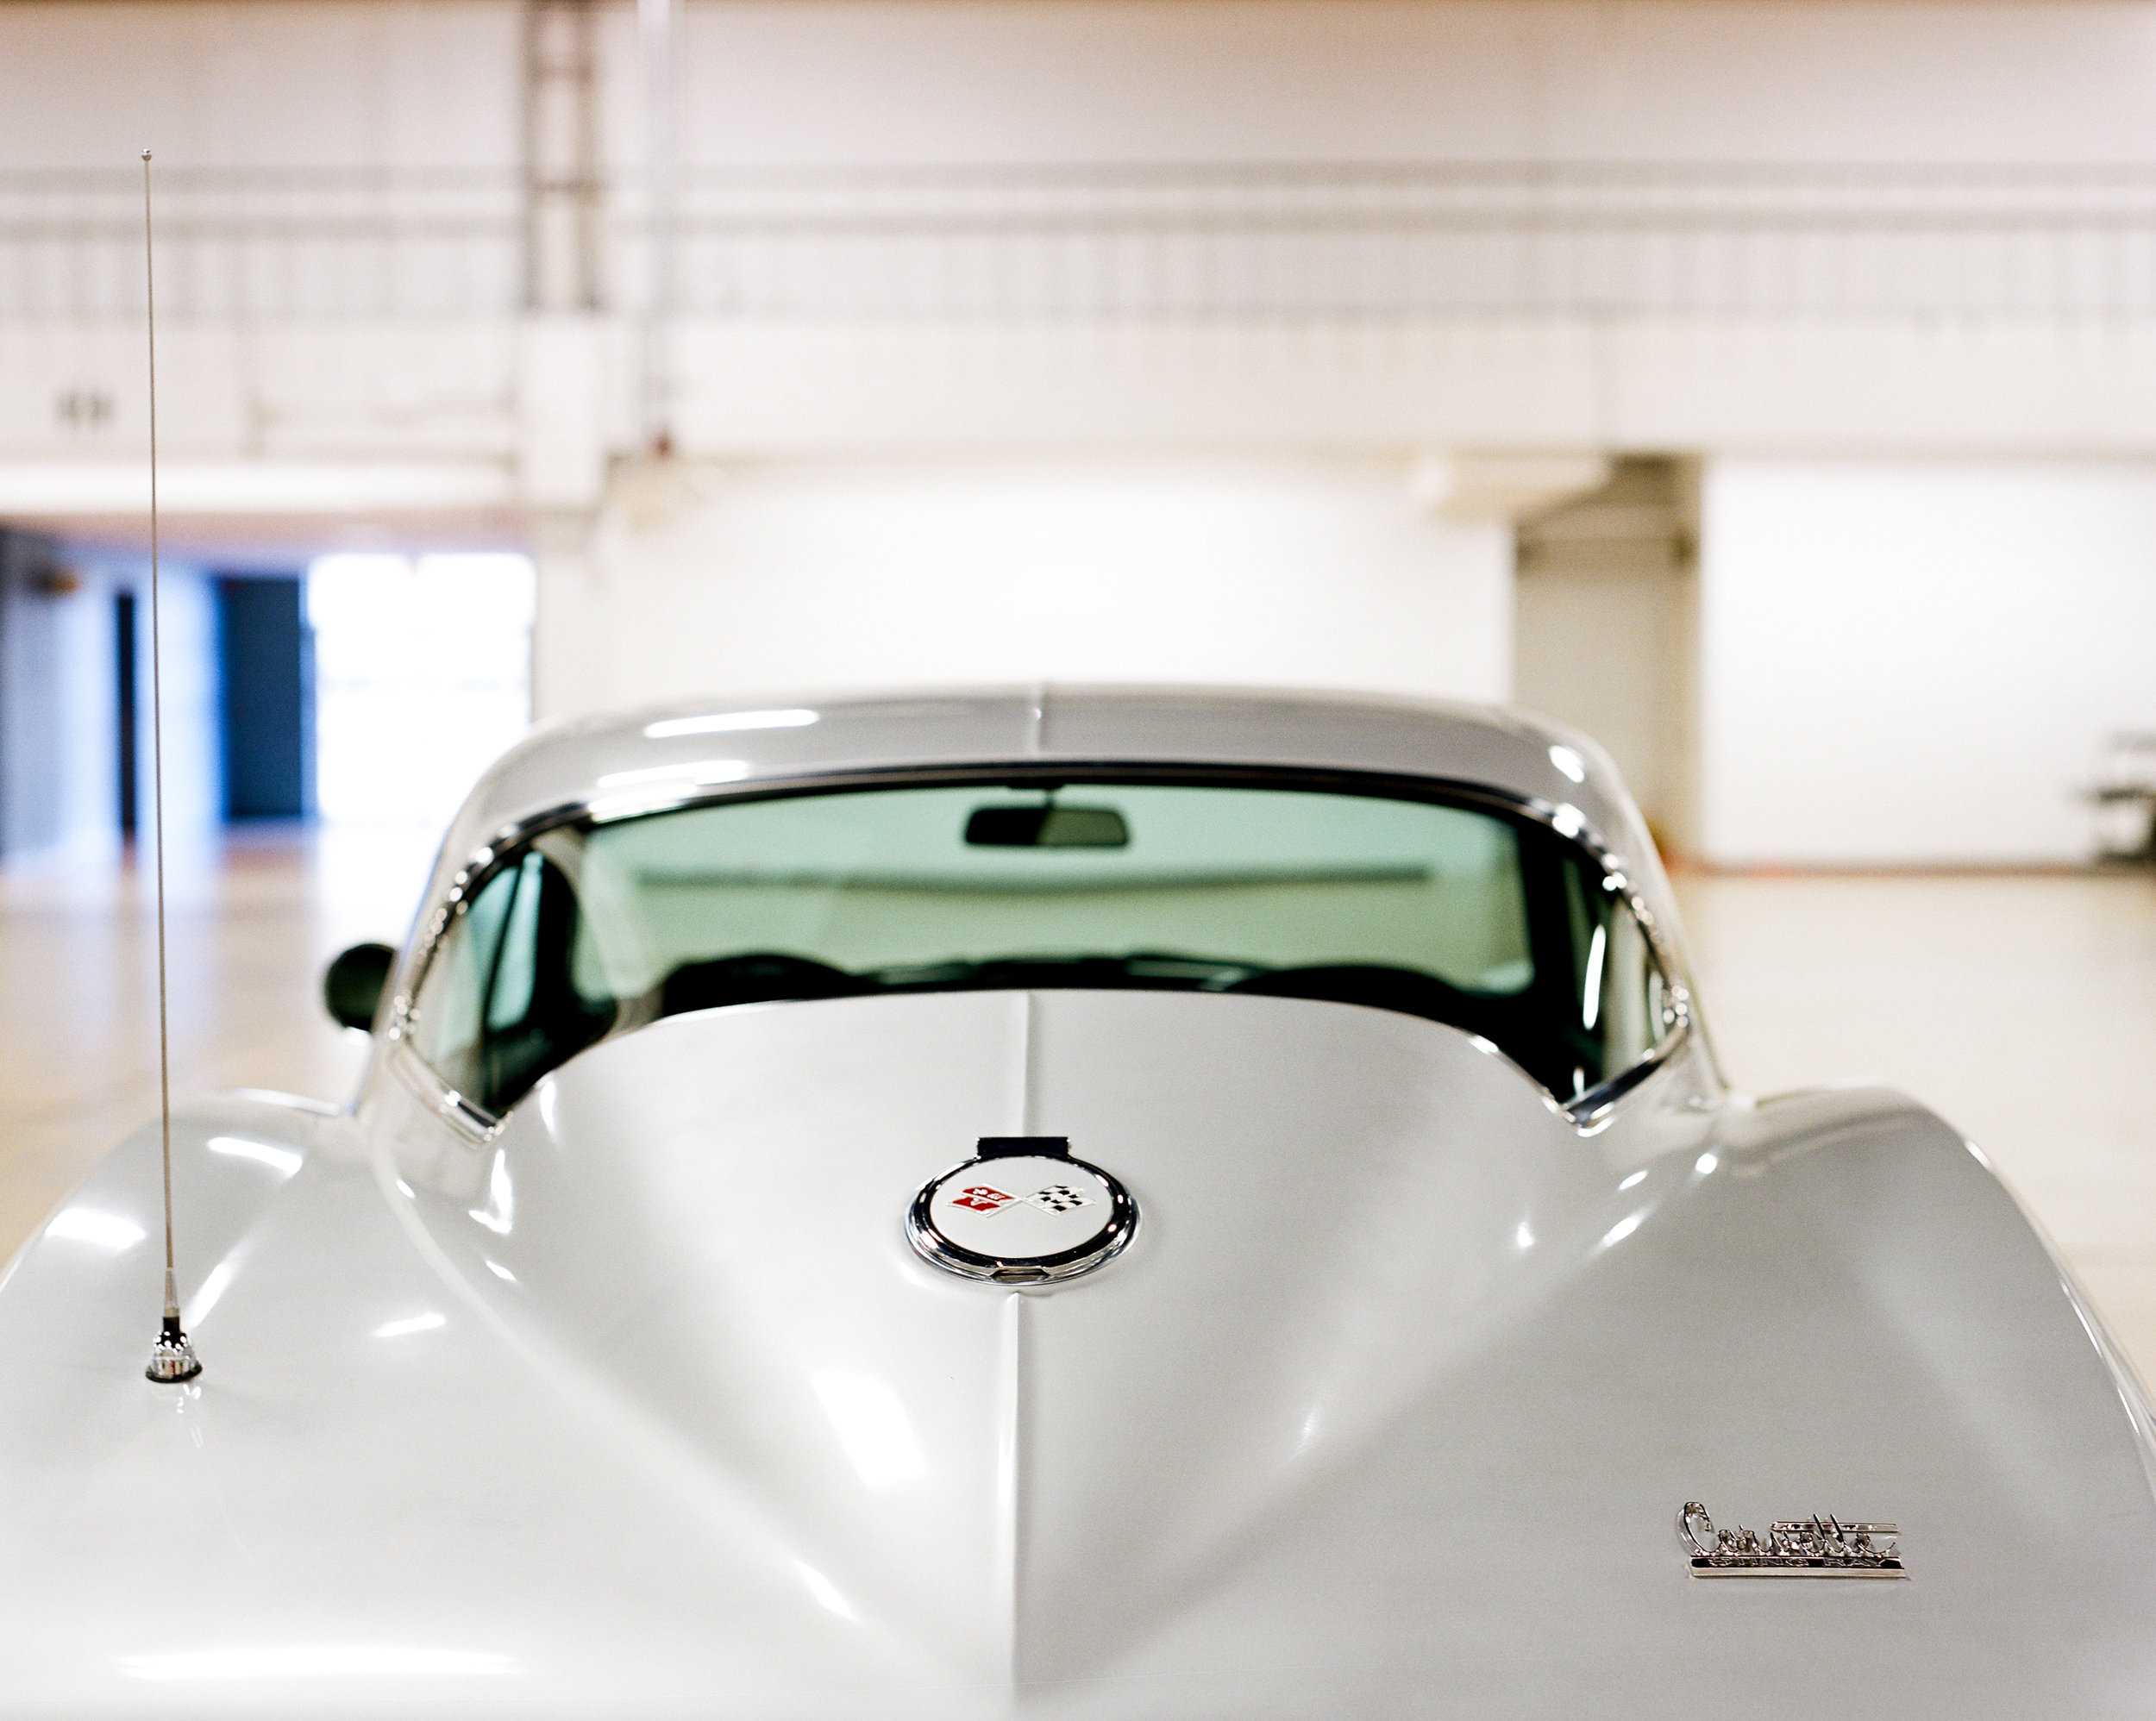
[2019, 1008]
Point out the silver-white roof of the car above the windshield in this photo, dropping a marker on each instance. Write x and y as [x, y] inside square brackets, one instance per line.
[657, 754]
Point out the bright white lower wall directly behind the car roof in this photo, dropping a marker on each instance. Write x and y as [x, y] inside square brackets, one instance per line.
[816, 577]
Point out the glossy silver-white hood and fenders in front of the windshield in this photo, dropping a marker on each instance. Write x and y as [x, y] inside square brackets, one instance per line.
[646, 1405]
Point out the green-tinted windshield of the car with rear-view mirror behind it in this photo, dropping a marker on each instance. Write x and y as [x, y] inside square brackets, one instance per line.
[1456, 913]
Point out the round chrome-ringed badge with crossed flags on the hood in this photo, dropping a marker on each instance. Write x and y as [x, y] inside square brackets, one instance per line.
[1021, 1213]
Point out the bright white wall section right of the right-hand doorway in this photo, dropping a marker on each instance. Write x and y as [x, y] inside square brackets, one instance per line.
[1918, 663]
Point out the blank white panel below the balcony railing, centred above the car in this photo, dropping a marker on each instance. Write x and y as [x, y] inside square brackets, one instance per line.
[835, 387]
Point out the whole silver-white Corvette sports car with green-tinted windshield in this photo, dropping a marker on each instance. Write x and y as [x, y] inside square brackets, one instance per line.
[1079, 1204]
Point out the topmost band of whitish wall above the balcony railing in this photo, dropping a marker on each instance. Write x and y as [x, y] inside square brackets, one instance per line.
[434, 83]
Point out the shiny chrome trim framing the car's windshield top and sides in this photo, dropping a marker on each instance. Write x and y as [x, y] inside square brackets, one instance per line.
[1584, 1110]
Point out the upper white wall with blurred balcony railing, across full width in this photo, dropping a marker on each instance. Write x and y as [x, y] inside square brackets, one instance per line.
[374, 322]
